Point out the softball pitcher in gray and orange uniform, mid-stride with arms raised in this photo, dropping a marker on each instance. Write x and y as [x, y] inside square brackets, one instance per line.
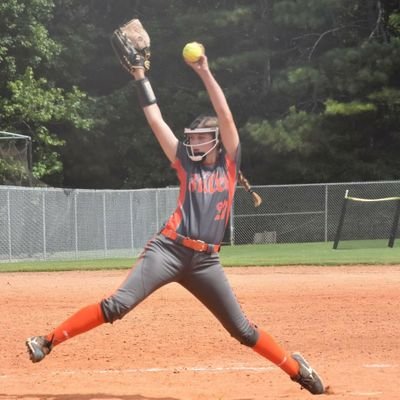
[186, 248]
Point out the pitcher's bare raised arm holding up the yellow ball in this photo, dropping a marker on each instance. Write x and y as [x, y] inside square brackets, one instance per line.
[227, 126]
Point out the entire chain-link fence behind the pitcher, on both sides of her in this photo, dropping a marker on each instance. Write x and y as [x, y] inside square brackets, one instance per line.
[47, 223]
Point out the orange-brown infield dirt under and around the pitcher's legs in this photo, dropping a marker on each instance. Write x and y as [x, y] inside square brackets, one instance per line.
[344, 320]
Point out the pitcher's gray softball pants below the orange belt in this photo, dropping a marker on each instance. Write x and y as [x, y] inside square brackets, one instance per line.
[164, 261]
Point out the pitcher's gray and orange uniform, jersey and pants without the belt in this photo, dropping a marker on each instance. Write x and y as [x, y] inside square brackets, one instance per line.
[199, 215]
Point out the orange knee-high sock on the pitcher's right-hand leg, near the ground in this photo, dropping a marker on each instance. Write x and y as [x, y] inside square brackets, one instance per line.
[268, 348]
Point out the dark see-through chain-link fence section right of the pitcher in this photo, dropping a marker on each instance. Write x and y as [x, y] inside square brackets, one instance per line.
[310, 213]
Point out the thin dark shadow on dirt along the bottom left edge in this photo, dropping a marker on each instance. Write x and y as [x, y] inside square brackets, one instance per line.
[97, 396]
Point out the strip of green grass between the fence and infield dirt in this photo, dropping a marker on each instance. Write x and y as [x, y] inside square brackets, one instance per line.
[349, 252]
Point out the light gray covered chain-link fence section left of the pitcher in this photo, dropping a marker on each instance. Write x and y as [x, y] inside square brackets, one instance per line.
[46, 223]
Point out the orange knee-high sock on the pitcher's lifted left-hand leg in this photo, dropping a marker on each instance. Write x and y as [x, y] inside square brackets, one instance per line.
[85, 319]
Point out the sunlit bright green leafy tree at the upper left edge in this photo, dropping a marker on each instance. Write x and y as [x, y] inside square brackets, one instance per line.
[31, 103]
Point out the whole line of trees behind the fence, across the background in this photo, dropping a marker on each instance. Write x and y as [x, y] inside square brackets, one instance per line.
[313, 85]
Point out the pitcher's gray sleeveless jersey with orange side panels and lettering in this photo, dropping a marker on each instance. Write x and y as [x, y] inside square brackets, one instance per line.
[205, 197]
